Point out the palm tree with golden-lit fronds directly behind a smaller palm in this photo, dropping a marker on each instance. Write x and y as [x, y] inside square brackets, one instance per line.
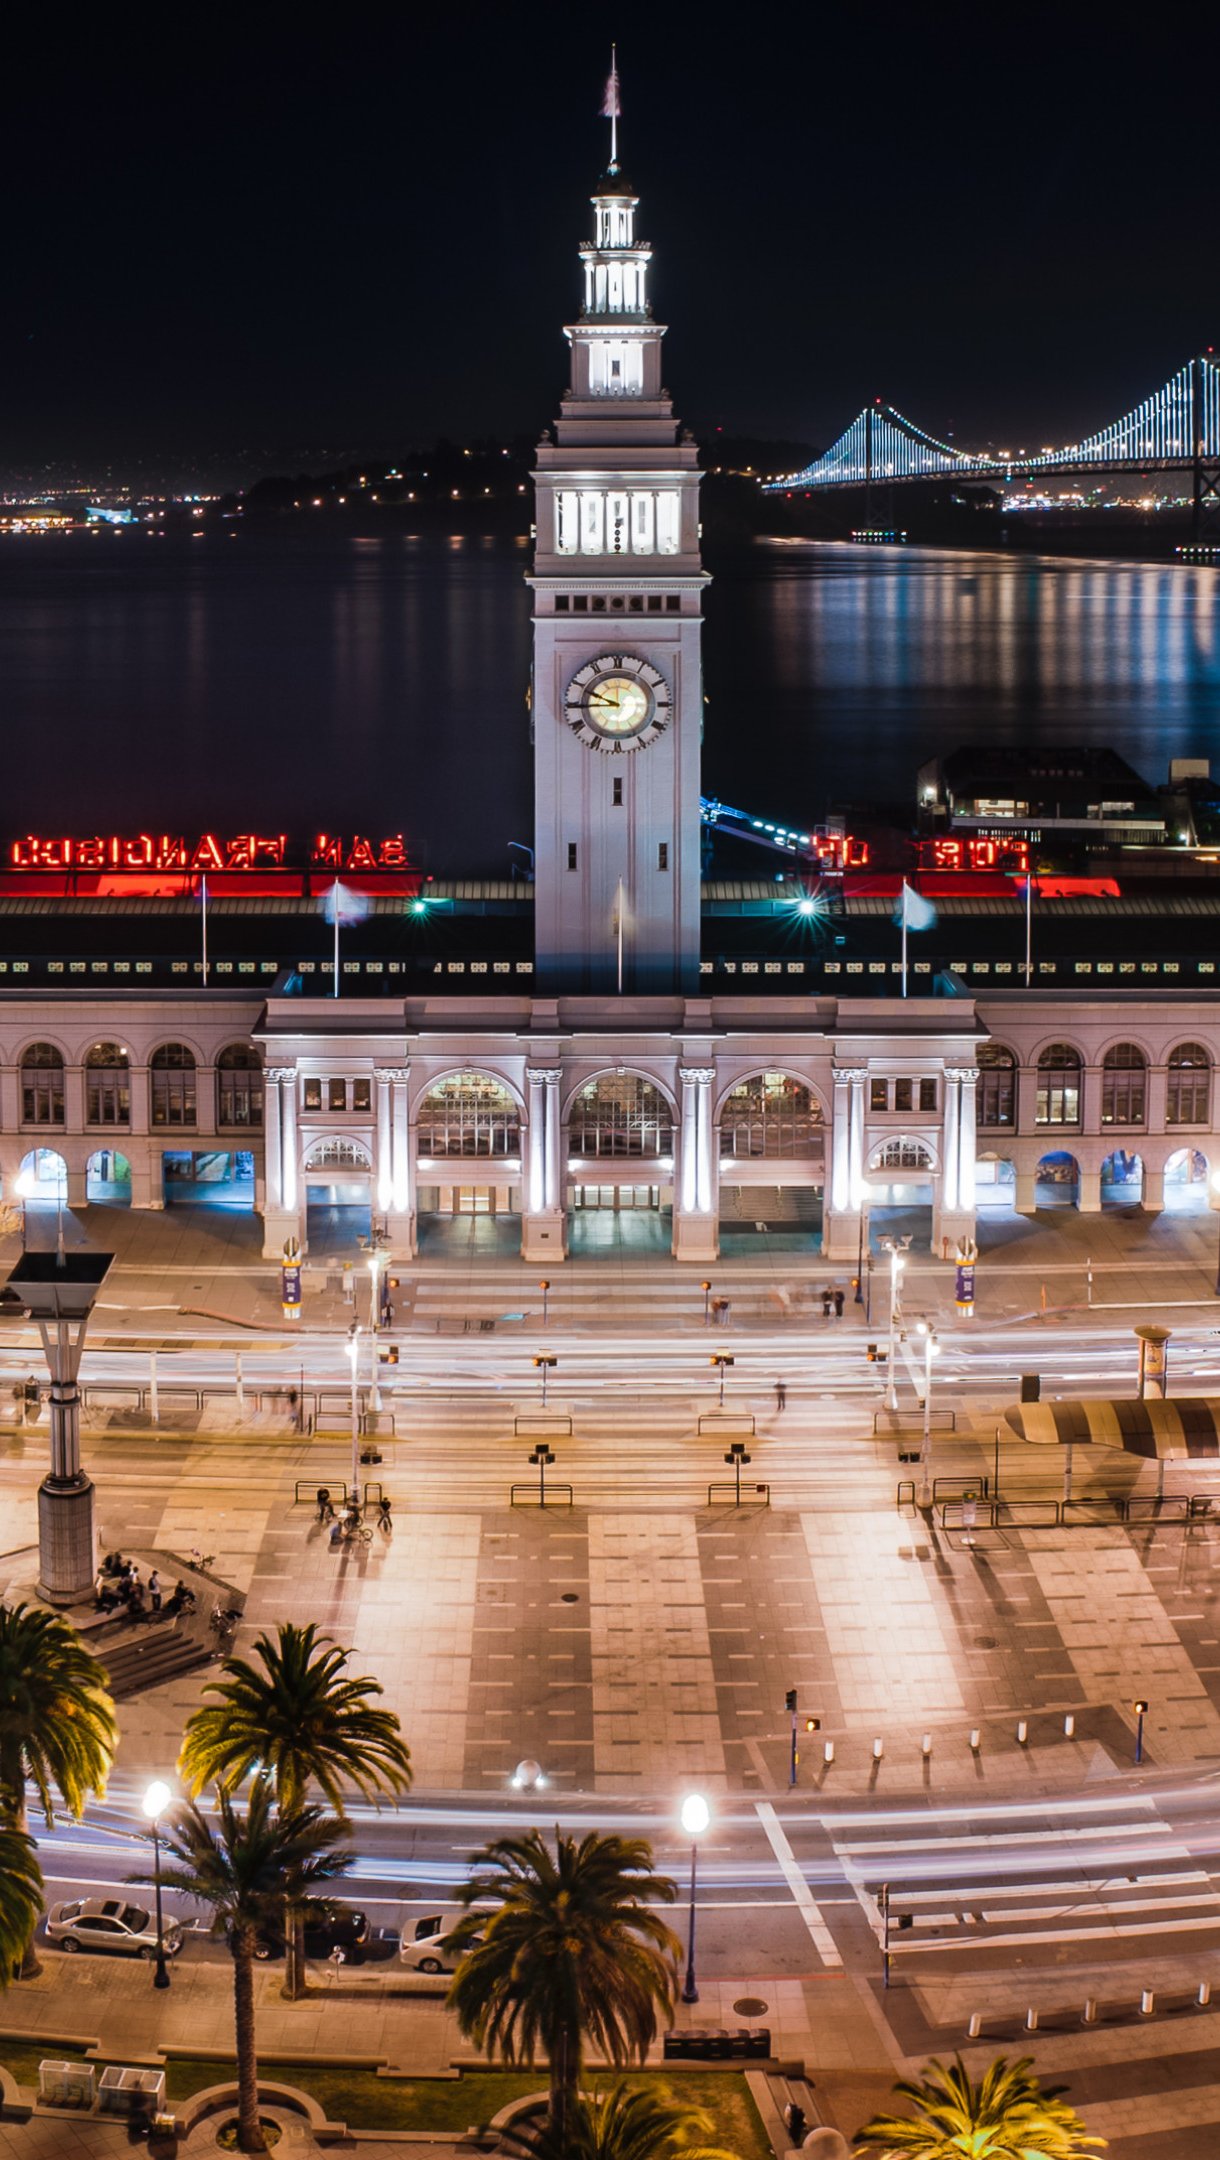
[301, 1720]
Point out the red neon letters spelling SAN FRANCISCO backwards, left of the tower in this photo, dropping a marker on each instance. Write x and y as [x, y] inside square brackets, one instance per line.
[208, 852]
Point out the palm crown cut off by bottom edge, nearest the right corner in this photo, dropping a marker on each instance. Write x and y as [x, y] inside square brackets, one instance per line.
[1007, 2116]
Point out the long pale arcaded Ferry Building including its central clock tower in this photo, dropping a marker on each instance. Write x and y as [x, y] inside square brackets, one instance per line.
[621, 1040]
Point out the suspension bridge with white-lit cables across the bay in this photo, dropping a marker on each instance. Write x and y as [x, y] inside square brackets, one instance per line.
[1178, 429]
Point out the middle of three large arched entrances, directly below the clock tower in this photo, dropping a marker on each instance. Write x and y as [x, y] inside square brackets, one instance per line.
[621, 1167]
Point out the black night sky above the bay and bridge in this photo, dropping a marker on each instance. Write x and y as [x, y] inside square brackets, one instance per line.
[262, 237]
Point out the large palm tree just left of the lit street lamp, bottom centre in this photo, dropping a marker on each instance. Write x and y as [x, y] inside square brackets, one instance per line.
[569, 1954]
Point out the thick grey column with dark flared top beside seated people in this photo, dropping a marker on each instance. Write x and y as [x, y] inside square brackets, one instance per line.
[59, 1291]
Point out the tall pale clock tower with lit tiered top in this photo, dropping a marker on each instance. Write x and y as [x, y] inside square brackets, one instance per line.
[616, 647]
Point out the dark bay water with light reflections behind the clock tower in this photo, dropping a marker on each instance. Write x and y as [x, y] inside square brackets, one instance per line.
[284, 679]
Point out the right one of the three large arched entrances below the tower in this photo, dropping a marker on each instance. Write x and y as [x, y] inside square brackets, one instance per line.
[772, 1165]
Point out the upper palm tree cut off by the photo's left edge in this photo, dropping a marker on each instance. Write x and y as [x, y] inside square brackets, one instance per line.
[57, 1723]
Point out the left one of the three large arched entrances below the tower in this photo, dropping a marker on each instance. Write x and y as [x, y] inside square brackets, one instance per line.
[467, 1150]
